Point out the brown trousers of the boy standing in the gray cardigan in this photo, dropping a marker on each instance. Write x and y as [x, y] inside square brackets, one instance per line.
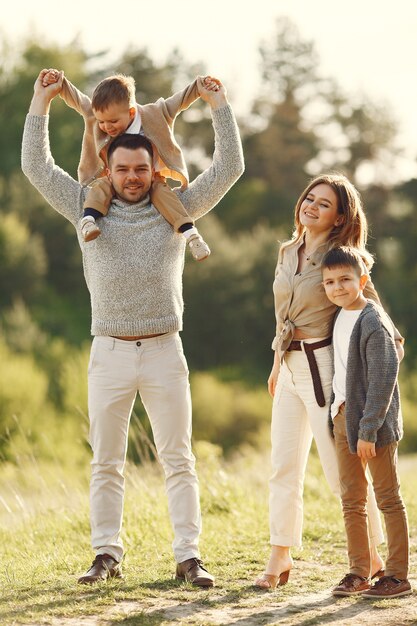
[353, 486]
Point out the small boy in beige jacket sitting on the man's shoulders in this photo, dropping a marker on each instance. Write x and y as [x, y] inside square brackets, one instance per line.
[113, 111]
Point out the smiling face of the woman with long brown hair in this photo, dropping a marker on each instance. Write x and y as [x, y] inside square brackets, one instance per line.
[319, 209]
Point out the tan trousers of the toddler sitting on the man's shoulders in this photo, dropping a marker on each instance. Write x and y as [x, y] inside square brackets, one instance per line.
[163, 199]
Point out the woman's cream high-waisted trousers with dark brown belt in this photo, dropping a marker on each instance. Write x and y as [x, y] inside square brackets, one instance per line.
[296, 419]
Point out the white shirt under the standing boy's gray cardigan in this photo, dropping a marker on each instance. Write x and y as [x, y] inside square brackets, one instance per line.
[342, 332]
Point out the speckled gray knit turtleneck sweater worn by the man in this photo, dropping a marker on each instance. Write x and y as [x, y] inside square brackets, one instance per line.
[134, 269]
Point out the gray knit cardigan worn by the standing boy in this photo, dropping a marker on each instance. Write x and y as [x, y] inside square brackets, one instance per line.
[372, 406]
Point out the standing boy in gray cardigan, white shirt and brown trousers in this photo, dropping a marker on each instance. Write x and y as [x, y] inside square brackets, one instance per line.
[365, 417]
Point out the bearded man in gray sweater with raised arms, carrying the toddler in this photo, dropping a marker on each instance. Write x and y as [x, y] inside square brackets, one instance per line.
[134, 276]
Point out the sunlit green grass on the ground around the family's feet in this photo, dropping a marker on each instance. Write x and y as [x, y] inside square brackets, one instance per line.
[44, 535]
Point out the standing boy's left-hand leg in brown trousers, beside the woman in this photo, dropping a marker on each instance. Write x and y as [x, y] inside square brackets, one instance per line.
[353, 487]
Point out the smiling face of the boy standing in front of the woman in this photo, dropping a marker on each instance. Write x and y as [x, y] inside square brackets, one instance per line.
[344, 286]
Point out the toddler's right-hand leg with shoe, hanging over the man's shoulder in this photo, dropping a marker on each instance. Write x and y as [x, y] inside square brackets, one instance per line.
[170, 207]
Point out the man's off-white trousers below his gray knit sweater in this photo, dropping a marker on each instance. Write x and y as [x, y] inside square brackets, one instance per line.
[157, 369]
